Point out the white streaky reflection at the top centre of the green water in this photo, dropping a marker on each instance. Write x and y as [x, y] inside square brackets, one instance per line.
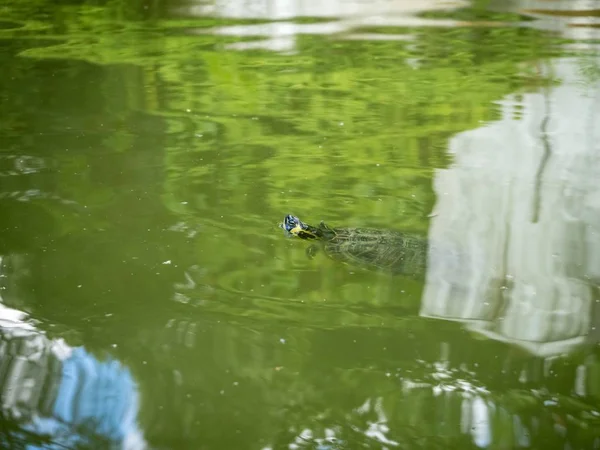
[337, 17]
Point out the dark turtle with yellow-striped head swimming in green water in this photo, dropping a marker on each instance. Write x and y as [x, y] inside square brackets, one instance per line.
[371, 248]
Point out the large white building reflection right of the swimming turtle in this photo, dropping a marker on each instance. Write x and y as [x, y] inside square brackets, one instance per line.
[521, 202]
